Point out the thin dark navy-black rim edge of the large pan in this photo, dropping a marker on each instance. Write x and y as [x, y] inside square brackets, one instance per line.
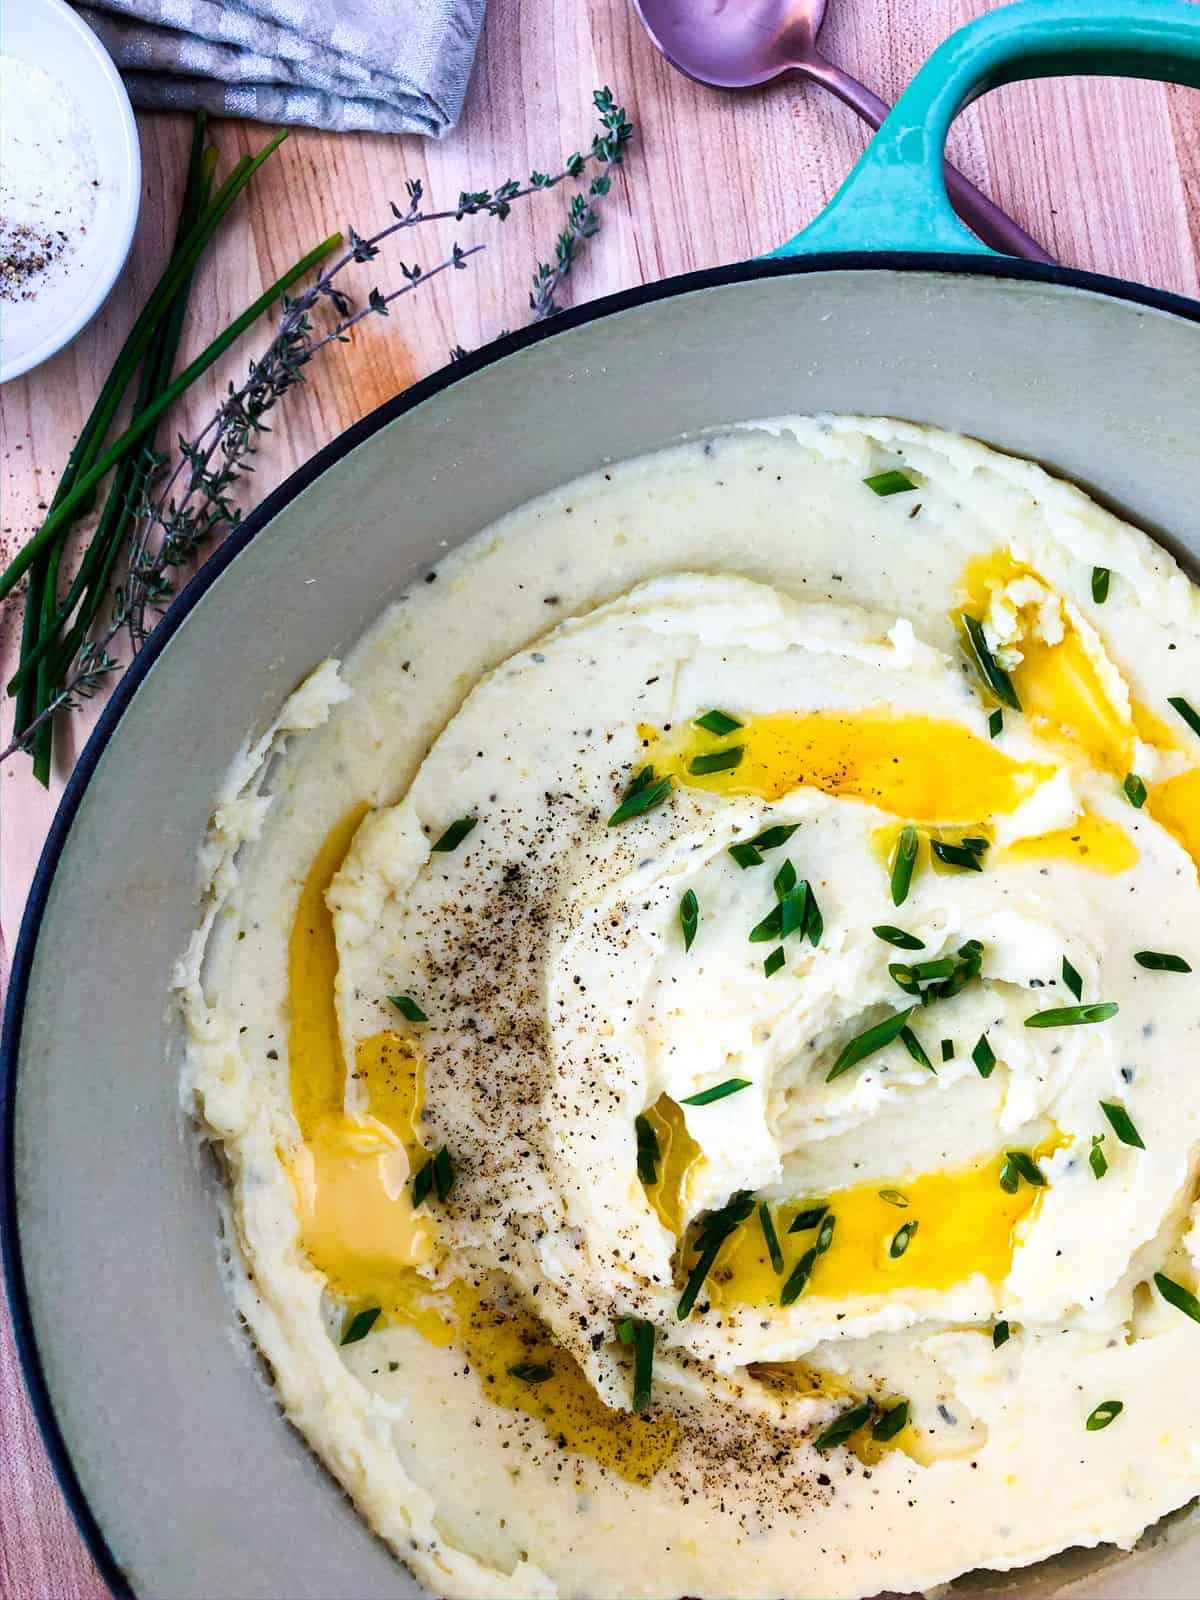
[1002, 268]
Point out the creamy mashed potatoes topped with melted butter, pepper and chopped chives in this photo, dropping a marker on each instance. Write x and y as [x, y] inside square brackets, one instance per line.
[700, 1015]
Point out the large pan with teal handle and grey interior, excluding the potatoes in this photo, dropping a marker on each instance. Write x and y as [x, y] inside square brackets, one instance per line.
[169, 1447]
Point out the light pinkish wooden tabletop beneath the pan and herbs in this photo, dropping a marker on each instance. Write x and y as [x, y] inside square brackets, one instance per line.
[1105, 174]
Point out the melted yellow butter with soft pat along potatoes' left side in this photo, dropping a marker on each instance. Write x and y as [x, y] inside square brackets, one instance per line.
[359, 1226]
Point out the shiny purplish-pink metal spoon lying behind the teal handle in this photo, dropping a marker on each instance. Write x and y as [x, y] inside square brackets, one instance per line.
[738, 44]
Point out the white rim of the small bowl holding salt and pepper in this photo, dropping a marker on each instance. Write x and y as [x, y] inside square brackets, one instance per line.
[50, 36]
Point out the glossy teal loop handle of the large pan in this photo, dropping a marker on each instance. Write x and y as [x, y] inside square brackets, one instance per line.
[895, 198]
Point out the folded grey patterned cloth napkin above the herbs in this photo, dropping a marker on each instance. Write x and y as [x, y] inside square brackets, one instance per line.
[390, 66]
